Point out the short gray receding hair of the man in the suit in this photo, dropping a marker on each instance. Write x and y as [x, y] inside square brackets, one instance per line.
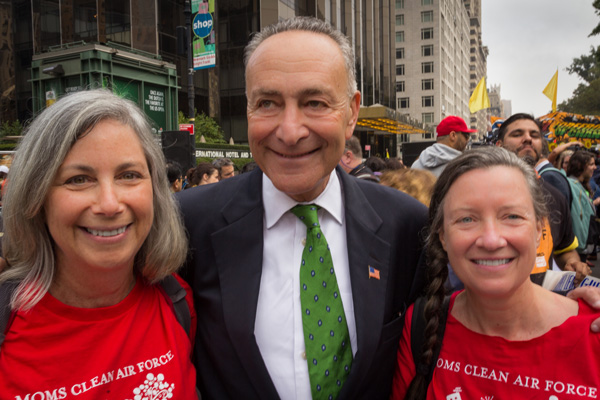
[308, 24]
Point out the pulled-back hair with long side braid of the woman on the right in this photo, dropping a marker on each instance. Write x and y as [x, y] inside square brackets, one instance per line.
[437, 258]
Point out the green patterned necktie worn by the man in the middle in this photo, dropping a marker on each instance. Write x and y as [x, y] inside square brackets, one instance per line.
[326, 337]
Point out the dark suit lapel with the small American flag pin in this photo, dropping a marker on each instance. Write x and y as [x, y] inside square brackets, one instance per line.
[365, 249]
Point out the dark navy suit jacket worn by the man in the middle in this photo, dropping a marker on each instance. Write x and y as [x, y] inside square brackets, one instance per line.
[225, 222]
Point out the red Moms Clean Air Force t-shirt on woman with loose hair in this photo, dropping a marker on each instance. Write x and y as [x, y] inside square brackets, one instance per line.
[133, 350]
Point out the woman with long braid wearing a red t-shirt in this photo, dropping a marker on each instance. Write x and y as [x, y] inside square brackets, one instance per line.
[505, 337]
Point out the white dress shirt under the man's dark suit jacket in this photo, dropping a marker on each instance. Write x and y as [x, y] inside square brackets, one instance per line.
[278, 328]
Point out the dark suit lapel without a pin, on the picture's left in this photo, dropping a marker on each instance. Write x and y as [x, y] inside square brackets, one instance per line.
[238, 253]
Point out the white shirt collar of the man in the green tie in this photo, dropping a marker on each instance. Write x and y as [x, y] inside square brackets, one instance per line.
[277, 203]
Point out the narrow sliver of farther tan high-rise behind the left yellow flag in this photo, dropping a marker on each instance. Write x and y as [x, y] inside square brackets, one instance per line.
[477, 63]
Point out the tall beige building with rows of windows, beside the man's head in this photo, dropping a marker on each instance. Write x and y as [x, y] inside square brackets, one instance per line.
[432, 59]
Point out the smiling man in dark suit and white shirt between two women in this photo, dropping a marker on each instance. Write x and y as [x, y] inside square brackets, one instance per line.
[246, 245]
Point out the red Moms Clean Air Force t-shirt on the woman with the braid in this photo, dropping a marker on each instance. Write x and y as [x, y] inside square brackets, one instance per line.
[562, 364]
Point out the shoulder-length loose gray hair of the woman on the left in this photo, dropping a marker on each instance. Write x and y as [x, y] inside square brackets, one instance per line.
[27, 244]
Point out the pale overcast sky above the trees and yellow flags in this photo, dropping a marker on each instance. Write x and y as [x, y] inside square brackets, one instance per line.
[528, 40]
